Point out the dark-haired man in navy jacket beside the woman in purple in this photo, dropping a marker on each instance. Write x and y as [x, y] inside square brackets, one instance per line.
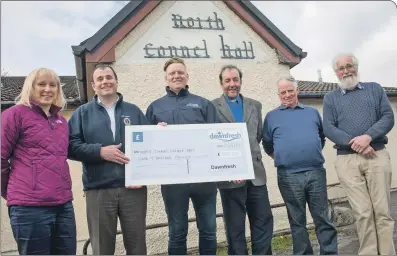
[96, 138]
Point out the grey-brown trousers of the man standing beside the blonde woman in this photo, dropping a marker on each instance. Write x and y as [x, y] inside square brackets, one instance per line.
[103, 208]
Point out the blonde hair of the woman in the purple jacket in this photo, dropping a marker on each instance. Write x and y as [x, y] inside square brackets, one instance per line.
[27, 89]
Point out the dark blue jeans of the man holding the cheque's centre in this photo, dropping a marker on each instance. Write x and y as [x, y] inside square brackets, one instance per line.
[176, 201]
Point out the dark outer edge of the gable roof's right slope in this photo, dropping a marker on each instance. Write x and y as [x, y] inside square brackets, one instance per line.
[297, 51]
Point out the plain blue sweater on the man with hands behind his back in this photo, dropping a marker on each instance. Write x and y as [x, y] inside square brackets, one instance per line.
[295, 137]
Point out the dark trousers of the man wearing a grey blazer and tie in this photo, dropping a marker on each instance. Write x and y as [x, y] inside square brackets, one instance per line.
[254, 202]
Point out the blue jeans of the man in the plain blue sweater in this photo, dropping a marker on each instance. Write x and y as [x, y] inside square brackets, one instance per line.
[311, 187]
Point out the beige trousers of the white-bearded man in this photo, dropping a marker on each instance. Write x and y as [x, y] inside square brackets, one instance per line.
[367, 185]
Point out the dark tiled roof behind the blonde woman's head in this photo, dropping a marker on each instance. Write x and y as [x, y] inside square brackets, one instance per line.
[11, 86]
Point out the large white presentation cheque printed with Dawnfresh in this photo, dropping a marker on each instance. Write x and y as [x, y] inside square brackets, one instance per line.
[190, 153]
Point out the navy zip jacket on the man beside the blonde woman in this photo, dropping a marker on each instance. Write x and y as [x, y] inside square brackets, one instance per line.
[89, 130]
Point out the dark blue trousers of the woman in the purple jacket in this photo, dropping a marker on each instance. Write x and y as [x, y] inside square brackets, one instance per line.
[44, 230]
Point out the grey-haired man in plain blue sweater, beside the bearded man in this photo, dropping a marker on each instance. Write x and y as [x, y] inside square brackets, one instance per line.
[293, 137]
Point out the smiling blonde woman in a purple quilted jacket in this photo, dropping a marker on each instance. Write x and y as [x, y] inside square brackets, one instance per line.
[35, 177]
